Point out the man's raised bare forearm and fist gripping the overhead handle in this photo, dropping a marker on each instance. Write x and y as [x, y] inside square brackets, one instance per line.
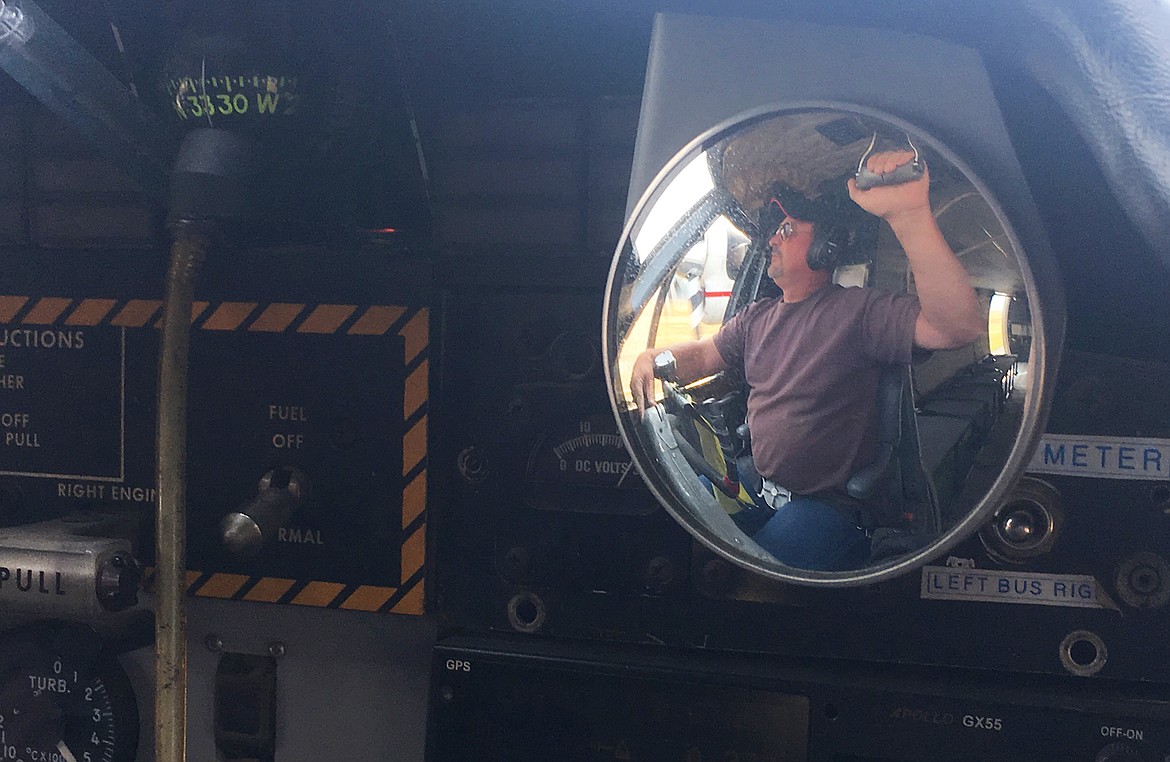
[951, 314]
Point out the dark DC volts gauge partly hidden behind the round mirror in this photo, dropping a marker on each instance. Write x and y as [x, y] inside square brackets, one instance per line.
[584, 466]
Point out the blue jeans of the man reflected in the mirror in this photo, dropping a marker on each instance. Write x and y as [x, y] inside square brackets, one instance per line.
[810, 534]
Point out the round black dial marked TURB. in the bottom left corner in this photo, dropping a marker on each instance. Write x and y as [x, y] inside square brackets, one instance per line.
[64, 699]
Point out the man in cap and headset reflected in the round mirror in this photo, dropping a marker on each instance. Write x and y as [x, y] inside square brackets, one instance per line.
[813, 359]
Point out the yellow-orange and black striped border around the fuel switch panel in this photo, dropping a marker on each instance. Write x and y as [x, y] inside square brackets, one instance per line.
[410, 324]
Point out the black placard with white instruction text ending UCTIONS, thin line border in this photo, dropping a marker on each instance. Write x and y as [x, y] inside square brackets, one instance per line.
[63, 403]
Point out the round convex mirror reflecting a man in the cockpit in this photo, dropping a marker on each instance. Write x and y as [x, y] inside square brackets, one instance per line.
[820, 342]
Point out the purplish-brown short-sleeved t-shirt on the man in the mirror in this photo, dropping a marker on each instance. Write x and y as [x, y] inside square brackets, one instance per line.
[813, 368]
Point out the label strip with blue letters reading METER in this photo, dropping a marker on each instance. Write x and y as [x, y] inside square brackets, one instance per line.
[1103, 457]
